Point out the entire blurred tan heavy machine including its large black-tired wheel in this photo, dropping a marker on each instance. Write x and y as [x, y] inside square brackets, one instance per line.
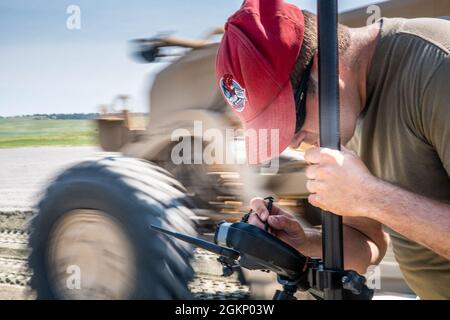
[93, 219]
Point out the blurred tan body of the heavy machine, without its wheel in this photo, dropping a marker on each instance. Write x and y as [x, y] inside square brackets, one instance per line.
[183, 94]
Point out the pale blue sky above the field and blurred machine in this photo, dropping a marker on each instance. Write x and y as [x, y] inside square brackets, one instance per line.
[46, 68]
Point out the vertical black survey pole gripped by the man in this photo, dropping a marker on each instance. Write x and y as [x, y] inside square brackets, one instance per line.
[332, 246]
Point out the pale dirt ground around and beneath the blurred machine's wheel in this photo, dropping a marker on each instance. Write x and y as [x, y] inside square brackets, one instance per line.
[24, 172]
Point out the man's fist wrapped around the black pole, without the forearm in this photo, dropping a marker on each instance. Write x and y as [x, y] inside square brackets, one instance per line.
[339, 181]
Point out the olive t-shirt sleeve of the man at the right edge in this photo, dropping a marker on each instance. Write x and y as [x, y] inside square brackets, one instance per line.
[436, 112]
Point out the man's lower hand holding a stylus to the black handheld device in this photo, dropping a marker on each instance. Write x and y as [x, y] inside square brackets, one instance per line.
[282, 224]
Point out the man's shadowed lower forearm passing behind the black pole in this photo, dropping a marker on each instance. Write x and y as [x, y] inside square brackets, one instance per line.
[359, 251]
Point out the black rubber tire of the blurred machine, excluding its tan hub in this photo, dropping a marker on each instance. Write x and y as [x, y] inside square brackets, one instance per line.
[135, 194]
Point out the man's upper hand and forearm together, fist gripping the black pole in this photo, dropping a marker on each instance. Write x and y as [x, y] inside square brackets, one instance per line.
[340, 183]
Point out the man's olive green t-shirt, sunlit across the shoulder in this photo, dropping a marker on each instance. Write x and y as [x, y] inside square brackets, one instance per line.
[403, 134]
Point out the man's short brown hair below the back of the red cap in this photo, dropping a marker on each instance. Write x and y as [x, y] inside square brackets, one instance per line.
[309, 46]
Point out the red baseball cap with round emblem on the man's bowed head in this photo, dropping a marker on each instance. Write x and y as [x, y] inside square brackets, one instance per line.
[258, 51]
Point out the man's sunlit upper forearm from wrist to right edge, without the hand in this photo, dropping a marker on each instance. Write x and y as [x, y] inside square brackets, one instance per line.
[423, 220]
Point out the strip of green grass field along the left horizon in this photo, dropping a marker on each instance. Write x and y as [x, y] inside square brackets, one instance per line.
[28, 132]
